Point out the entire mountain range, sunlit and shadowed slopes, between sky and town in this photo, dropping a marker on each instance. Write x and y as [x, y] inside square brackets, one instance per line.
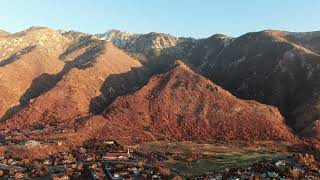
[146, 87]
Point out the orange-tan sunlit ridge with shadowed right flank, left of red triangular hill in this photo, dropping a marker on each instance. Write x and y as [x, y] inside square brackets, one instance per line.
[99, 76]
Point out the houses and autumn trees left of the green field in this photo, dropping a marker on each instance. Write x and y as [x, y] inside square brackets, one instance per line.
[93, 160]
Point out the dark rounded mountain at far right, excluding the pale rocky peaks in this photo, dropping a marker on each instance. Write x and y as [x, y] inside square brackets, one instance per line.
[267, 67]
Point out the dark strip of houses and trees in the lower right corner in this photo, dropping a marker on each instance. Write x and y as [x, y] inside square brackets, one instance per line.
[292, 167]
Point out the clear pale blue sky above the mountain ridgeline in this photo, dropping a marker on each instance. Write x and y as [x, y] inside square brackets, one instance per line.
[194, 18]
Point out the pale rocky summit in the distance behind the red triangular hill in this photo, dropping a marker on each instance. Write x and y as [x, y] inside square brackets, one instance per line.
[156, 50]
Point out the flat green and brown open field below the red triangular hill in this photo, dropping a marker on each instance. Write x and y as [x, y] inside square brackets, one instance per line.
[215, 157]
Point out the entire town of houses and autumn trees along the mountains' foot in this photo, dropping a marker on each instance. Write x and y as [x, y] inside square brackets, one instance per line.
[107, 159]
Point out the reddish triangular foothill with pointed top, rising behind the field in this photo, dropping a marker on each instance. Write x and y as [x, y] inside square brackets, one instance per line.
[183, 105]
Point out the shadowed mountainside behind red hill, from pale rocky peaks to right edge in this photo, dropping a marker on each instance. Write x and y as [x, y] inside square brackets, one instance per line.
[273, 67]
